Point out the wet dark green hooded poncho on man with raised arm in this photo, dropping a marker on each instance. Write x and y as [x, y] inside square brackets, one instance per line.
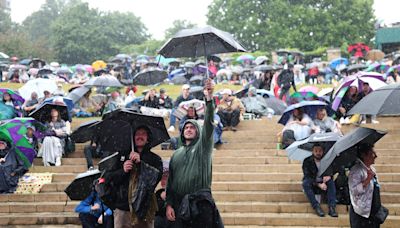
[190, 168]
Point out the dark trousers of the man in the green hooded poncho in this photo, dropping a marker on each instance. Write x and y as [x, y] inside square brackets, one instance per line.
[203, 220]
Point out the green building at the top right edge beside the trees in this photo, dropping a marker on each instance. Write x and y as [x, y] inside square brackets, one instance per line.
[387, 39]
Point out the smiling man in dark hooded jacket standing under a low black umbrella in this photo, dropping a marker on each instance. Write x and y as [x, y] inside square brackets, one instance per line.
[122, 178]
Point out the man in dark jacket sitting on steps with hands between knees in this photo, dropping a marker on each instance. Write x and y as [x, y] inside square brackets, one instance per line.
[312, 183]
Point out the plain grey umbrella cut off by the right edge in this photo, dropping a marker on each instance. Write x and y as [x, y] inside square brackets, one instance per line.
[382, 101]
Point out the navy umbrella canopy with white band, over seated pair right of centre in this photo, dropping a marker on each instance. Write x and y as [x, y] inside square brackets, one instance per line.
[310, 107]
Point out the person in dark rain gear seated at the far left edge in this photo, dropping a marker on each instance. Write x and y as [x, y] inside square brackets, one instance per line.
[11, 168]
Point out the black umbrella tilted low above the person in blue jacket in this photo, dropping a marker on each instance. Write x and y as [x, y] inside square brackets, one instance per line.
[82, 185]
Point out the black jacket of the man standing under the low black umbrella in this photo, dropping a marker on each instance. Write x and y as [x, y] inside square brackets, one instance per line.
[120, 179]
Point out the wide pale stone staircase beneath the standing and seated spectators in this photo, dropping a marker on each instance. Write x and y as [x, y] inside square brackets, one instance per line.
[254, 184]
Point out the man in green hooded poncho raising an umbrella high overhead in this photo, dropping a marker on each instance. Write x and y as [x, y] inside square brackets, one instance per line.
[190, 171]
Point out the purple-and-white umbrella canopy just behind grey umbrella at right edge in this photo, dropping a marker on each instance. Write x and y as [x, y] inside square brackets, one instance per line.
[375, 81]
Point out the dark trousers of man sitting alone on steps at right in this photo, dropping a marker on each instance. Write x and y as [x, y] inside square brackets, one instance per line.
[308, 187]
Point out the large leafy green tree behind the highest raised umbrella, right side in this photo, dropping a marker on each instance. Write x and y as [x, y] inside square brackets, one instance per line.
[303, 24]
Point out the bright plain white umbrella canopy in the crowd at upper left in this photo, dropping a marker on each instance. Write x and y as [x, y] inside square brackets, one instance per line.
[38, 85]
